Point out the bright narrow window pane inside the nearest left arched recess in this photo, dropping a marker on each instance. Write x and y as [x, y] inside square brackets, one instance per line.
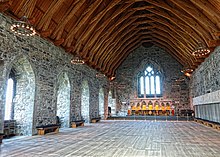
[9, 97]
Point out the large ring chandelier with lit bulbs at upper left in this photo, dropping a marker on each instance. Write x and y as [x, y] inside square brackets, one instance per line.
[23, 27]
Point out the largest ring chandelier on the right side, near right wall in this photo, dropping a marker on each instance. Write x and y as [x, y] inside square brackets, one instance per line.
[201, 50]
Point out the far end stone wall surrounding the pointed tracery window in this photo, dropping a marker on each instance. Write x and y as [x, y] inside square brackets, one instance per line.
[171, 70]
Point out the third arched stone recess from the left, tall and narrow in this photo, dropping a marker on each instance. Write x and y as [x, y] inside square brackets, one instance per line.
[85, 101]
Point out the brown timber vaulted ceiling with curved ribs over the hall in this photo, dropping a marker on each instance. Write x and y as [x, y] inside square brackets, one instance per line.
[104, 32]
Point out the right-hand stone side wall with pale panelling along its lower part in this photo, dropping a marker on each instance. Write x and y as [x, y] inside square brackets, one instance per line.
[205, 88]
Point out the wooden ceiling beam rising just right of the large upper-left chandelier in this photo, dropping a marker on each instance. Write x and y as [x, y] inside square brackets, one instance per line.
[46, 19]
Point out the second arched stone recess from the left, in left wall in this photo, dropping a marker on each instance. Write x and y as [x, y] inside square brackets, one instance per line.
[63, 100]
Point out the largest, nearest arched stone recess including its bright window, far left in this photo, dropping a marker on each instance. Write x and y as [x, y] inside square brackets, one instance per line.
[19, 105]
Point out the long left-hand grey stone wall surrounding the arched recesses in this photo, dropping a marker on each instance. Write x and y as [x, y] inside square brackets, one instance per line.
[47, 62]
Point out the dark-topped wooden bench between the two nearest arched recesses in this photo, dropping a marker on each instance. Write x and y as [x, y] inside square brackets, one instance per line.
[44, 129]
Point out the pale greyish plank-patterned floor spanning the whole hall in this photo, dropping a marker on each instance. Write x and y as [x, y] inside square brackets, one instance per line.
[120, 139]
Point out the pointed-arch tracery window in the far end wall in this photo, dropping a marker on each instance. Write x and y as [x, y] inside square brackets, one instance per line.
[149, 83]
